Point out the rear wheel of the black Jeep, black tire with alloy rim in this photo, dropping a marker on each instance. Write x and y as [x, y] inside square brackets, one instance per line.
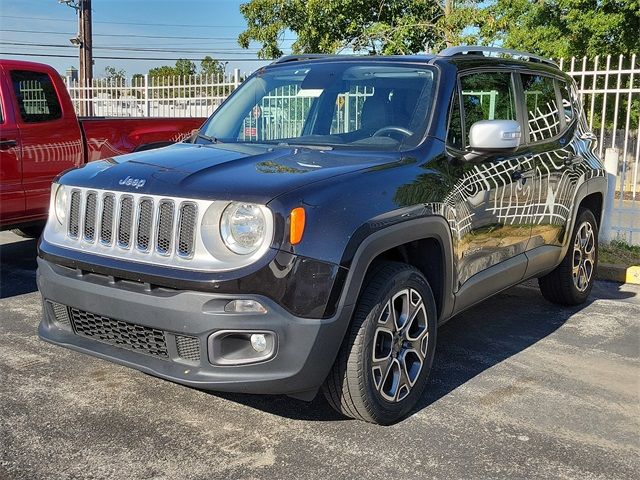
[560, 286]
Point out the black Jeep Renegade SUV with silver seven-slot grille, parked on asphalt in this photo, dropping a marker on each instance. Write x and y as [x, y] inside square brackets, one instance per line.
[324, 221]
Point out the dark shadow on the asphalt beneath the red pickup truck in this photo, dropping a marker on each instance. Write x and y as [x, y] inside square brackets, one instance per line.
[18, 267]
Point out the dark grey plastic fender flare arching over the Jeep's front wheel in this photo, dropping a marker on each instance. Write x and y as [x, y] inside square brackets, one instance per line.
[429, 227]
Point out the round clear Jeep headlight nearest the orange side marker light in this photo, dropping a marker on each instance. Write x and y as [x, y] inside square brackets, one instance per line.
[242, 227]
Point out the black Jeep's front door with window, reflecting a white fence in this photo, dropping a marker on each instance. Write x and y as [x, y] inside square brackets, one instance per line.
[491, 199]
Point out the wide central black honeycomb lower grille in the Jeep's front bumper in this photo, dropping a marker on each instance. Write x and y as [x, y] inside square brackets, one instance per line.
[139, 338]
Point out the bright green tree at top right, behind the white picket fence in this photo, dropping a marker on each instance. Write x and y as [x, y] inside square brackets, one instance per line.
[564, 28]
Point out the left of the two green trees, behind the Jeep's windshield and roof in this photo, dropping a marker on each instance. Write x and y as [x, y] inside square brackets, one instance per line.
[374, 26]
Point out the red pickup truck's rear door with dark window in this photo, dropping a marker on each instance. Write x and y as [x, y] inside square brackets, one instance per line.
[50, 137]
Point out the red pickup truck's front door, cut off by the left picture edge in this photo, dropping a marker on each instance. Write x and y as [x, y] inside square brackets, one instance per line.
[11, 192]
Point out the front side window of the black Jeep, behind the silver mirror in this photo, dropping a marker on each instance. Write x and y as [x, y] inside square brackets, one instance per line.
[487, 96]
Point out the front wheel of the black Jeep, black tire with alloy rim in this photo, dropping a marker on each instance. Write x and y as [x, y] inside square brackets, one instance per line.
[356, 385]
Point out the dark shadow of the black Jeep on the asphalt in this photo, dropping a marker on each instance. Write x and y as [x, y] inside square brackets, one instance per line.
[468, 344]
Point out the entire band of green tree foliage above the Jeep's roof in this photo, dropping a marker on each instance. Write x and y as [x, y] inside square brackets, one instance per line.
[555, 28]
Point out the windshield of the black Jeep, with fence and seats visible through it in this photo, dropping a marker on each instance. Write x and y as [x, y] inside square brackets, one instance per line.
[339, 104]
